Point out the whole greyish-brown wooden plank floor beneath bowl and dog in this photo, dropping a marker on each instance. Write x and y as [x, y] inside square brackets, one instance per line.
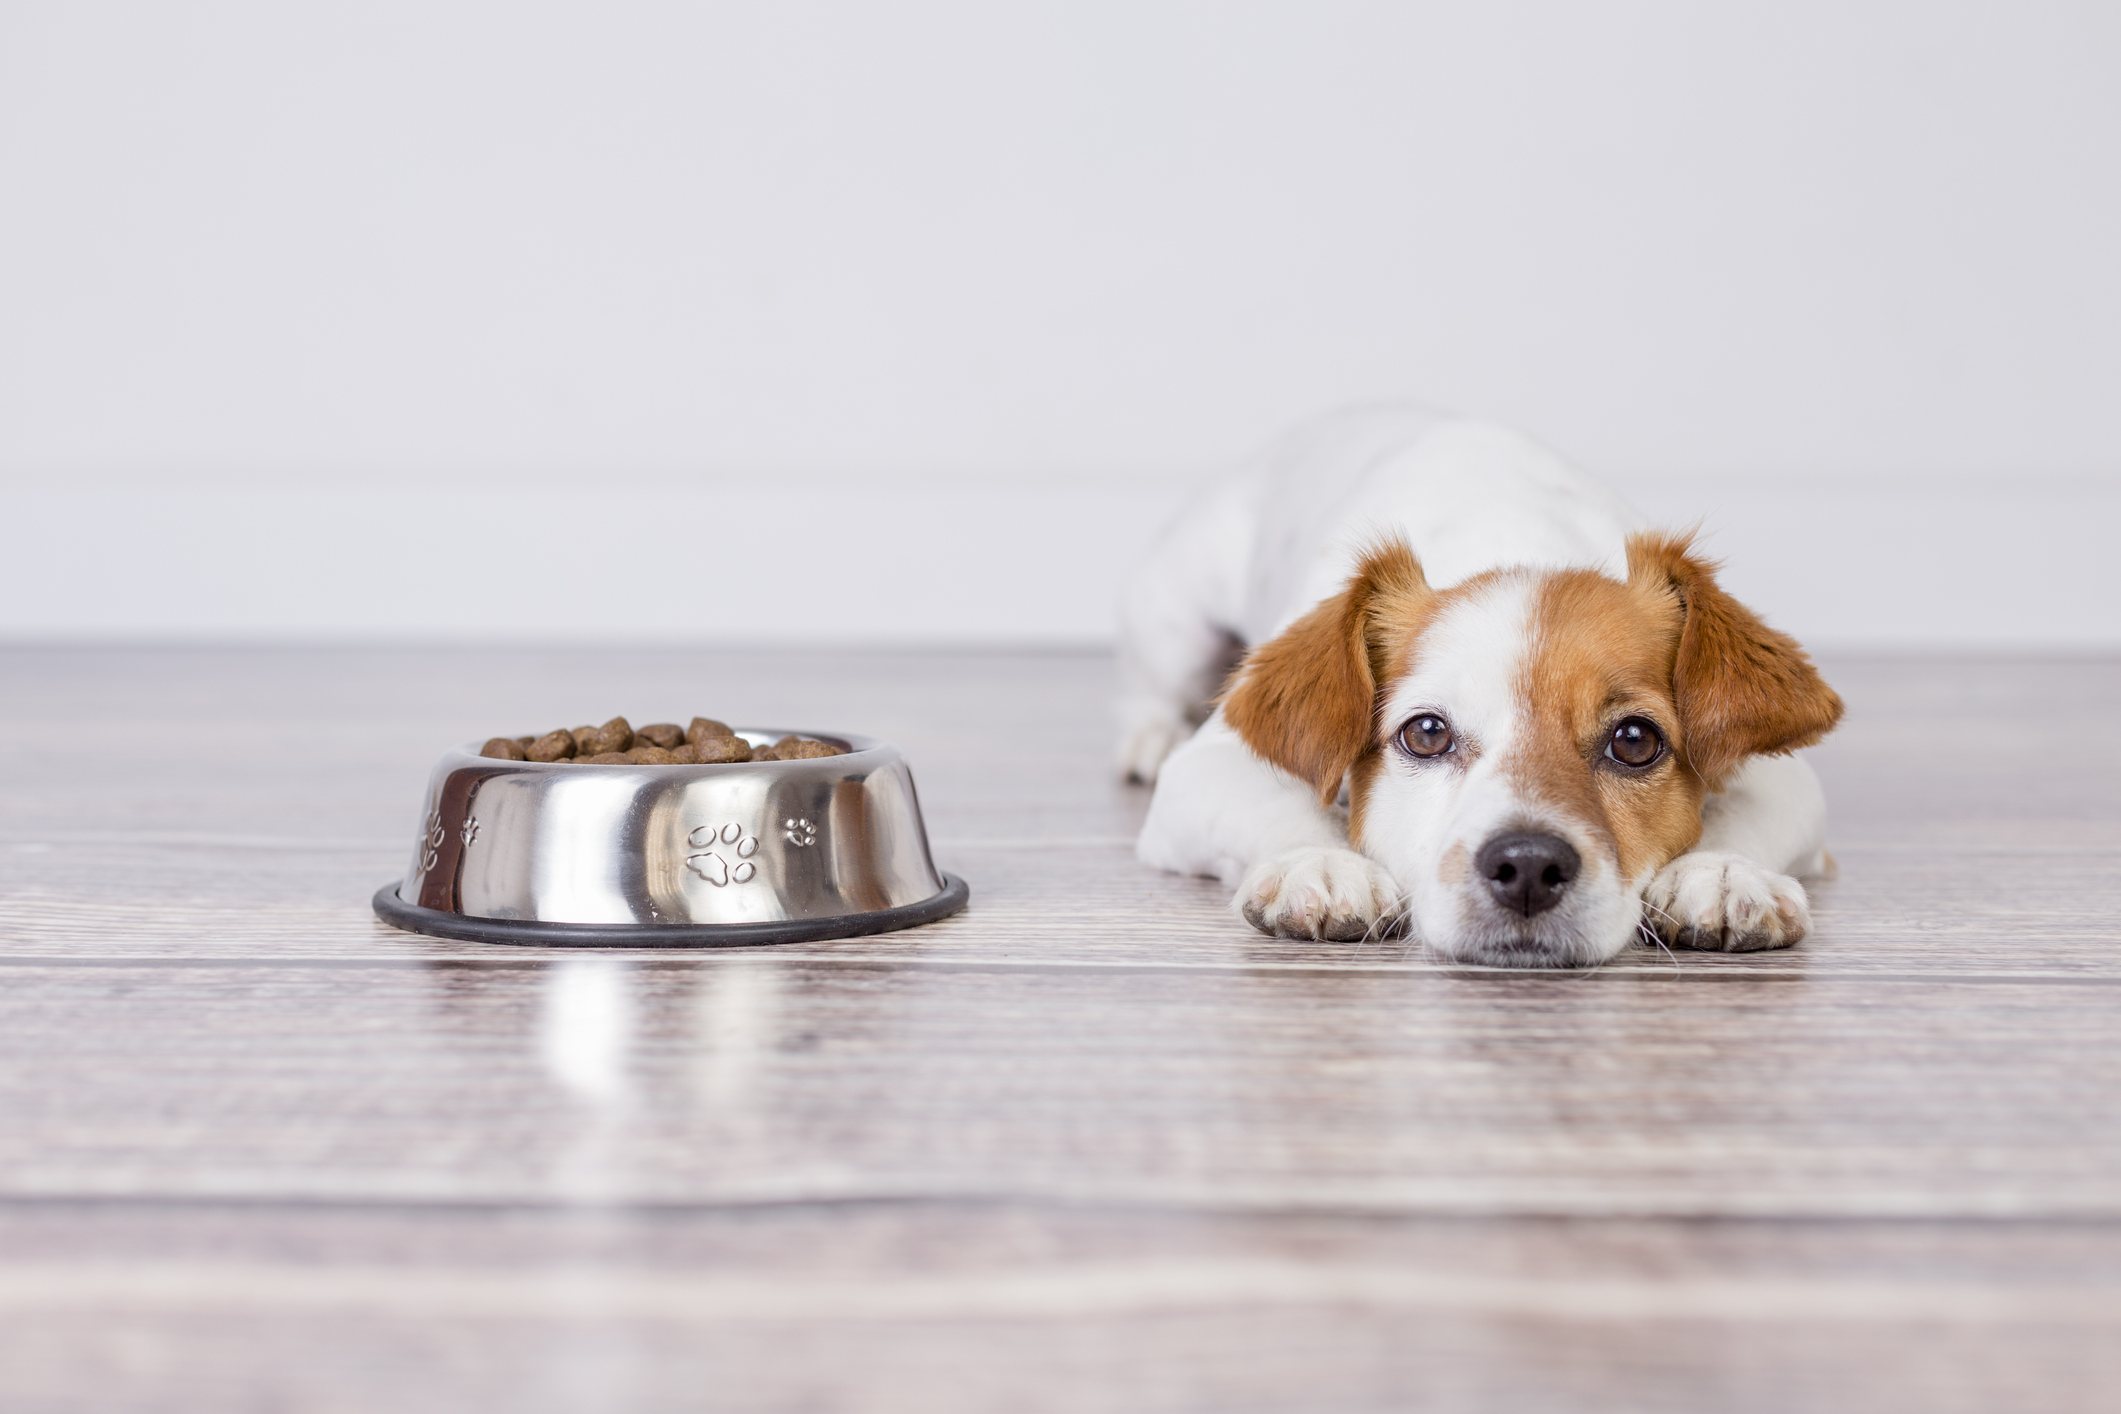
[1091, 1146]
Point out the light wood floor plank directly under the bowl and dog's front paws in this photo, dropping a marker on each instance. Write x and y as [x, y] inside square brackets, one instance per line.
[2024, 915]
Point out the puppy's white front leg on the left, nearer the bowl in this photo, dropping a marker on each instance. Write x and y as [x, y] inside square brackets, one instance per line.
[1225, 813]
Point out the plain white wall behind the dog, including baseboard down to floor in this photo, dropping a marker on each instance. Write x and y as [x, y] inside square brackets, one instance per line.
[907, 321]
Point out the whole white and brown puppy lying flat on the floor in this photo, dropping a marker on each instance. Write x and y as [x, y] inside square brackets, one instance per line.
[1477, 703]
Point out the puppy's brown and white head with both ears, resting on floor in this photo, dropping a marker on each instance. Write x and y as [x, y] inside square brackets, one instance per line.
[1524, 752]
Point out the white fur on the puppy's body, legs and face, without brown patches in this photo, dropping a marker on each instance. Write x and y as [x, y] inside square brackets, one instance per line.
[1272, 544]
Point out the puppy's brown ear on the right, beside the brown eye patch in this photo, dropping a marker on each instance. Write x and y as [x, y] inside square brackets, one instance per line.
[1742, 688]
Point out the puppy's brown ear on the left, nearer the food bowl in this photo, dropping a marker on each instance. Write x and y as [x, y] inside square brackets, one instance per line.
[1308, 699]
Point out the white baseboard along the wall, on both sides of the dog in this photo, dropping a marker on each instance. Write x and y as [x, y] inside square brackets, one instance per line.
[1844, 567]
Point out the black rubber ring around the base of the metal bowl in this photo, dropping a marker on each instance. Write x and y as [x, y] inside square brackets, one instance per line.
[438, 923]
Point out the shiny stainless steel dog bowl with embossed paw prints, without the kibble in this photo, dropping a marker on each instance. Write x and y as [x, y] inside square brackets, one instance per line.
[671, 855]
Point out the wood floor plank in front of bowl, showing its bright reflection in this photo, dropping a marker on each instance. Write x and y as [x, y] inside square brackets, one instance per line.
[752, 1080]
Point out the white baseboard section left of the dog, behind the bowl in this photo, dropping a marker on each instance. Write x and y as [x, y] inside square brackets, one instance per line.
[457, 563]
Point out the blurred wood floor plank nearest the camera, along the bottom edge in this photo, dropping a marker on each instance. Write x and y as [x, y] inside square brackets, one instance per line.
[1047, 1309]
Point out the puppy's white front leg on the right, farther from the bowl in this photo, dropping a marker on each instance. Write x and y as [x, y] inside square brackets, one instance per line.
[1736, 891]
